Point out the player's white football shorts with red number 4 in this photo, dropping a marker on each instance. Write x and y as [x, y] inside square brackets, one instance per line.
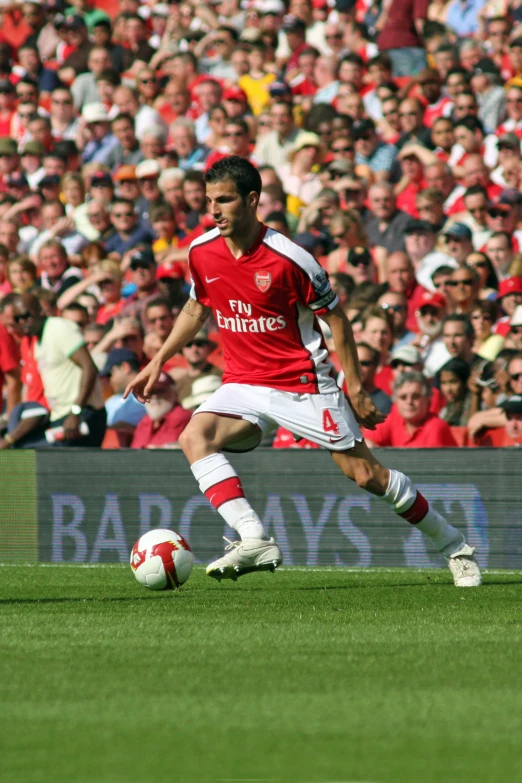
[326, 419]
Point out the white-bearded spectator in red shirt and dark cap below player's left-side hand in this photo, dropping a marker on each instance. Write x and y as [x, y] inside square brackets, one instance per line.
[164, 420]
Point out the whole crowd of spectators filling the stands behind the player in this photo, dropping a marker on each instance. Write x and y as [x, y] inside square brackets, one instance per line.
[388, 139]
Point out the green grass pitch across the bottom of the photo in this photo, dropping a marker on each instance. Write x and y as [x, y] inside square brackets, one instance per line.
[302, 676]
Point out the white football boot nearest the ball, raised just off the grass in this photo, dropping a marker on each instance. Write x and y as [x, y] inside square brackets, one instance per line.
[245, 557]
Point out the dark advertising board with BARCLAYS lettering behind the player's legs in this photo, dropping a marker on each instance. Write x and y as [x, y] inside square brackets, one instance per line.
[92, 506]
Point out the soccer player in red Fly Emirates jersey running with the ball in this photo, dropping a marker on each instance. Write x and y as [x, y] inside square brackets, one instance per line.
[266, 294]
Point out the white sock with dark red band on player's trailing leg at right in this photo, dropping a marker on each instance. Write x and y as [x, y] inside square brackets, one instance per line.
[405, 499]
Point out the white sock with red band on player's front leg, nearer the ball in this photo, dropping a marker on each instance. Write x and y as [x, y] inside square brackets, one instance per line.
[220, 483]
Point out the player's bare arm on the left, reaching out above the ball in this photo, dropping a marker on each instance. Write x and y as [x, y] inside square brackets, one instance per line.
[188, 323]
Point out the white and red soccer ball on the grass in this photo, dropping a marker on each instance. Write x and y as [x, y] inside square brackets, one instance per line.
[161, 560]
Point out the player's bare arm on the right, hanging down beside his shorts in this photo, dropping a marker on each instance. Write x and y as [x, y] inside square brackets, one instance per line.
[362, 404]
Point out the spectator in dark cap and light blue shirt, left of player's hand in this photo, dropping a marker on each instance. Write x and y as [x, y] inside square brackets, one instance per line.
[121, 366]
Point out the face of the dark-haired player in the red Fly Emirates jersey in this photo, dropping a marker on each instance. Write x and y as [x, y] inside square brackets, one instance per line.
[232, 215]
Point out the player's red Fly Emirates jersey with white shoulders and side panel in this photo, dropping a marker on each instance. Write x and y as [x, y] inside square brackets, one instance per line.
[266, 304]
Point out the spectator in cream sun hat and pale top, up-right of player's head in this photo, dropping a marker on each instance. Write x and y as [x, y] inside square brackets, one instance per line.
[301, 181]
